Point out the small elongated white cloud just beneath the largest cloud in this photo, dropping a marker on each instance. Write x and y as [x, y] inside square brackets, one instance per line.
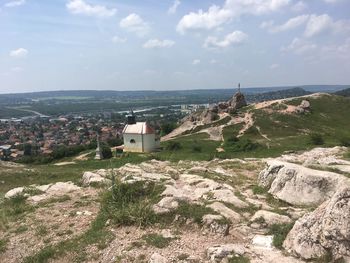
[234, 38]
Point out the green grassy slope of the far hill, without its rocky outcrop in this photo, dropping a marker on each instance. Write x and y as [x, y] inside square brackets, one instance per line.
[273, 132]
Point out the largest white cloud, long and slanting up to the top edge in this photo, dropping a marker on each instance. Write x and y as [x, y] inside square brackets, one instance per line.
[216, 16]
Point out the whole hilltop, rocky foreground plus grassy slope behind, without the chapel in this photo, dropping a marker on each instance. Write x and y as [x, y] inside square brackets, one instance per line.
[201, 199]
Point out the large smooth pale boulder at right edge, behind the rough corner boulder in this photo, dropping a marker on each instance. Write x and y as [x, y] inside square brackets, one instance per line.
[298, 185]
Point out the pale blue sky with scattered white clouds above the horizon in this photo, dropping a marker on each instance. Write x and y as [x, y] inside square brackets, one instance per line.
[172, 44]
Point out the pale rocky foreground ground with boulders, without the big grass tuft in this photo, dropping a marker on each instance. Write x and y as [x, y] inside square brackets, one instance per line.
[242, 210]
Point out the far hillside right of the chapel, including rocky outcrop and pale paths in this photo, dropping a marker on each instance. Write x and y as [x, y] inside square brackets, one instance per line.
[270, 128]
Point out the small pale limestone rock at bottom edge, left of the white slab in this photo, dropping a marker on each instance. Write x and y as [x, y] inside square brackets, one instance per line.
[217, 253]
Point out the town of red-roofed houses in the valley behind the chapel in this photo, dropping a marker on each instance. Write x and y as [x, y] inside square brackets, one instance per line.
[43, 138]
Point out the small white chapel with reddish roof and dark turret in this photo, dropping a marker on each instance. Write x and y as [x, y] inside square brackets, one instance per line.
[139, 136]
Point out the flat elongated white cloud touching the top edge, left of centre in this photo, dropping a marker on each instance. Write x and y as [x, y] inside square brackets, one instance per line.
[80, 7]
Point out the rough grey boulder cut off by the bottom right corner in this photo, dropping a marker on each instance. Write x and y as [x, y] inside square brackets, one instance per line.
[326, 230]
